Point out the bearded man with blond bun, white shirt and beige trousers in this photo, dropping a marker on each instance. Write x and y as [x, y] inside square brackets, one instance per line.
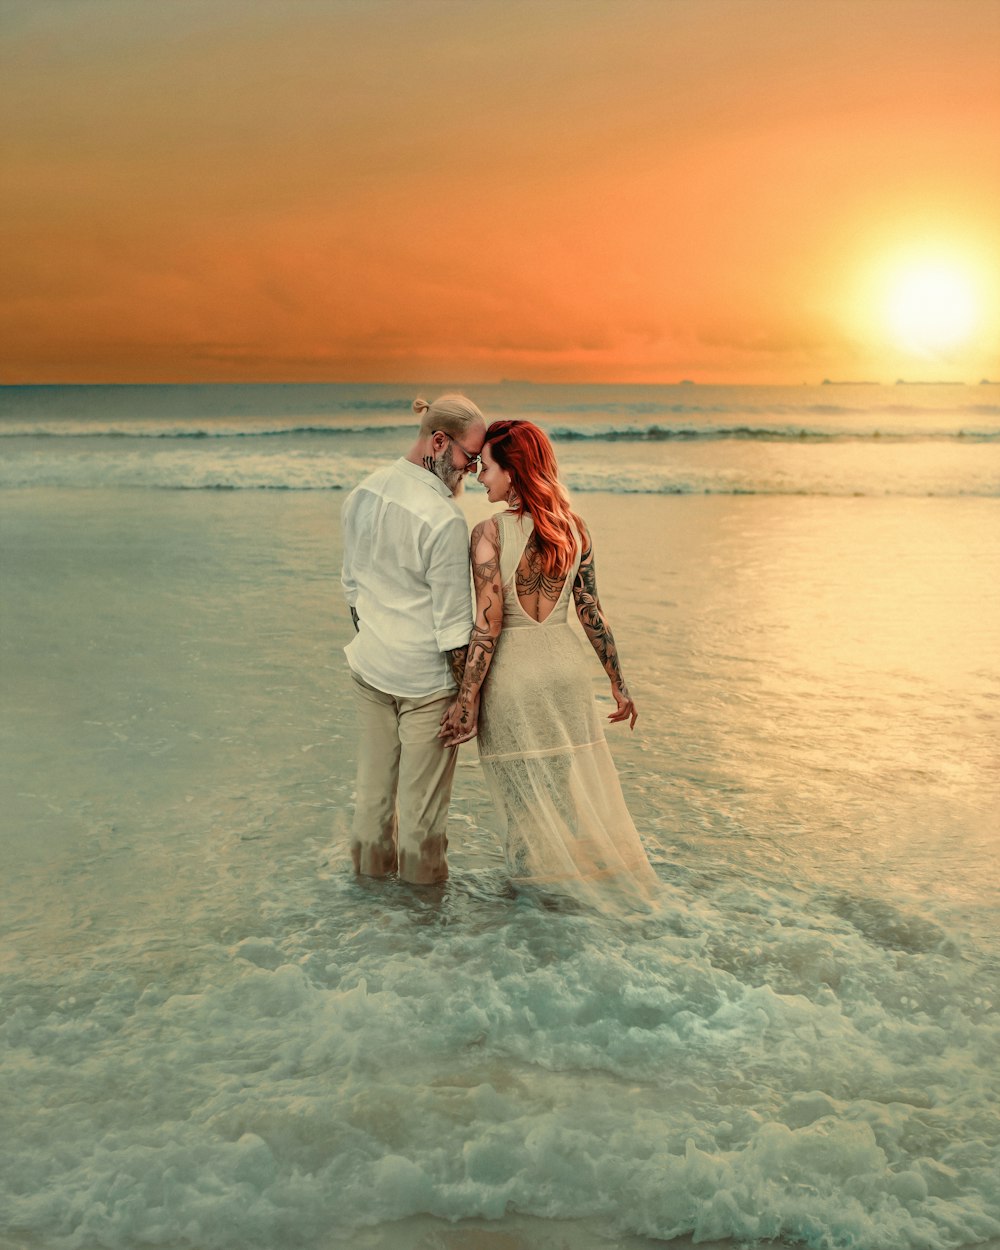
[408, 586]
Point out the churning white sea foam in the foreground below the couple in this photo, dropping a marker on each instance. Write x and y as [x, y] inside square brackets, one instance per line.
[552, 1064]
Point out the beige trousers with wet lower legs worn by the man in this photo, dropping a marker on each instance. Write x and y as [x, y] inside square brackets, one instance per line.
[404, 786]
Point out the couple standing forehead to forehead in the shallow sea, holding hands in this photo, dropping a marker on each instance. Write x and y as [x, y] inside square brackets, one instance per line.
[522, 678]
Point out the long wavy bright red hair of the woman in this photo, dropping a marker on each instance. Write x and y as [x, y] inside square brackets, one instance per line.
[527, 454]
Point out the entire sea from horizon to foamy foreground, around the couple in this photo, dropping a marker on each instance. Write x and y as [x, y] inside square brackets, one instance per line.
[214, 1037]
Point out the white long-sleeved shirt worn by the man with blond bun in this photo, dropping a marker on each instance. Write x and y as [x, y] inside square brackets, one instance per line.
[407, 576]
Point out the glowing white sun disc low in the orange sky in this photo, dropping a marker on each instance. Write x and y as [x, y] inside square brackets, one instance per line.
[931, 306]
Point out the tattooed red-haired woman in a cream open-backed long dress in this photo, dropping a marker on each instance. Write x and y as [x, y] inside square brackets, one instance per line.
[541, 738]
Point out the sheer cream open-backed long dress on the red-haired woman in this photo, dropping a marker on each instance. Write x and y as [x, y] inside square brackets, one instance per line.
[544, 753]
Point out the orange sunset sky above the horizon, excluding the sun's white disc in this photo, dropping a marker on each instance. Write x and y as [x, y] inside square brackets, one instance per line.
[466, 191]
